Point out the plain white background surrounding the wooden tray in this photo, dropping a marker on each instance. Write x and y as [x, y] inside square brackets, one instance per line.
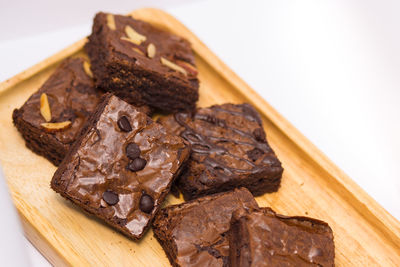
[330, 67]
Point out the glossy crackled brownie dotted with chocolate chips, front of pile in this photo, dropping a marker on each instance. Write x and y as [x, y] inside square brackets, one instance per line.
[122, 166]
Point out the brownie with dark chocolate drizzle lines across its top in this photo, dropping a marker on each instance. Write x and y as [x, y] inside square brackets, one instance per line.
[229, 149]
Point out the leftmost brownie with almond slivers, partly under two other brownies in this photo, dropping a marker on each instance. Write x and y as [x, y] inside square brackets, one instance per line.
[52, 118]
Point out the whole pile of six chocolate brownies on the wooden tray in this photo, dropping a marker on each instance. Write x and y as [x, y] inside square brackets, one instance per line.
[93, 121]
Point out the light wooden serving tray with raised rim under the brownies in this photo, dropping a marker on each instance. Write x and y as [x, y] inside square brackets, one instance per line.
[365, 233]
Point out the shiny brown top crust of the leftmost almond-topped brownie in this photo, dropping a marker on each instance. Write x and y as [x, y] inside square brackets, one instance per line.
[72, 97]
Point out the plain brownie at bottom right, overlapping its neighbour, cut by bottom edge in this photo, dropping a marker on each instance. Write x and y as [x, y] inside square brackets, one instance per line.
[264, 238]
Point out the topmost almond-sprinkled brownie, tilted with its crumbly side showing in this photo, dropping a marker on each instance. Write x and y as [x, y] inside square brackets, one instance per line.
[142, 64]
